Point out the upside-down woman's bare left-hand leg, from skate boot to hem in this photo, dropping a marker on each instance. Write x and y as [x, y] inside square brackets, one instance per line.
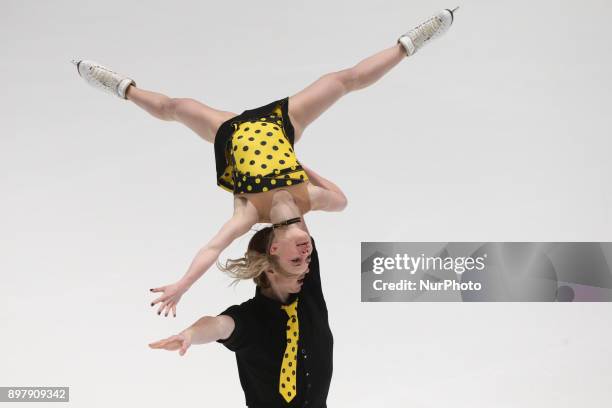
[200, 118]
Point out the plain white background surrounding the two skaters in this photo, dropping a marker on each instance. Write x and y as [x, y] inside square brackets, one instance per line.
[498, 131]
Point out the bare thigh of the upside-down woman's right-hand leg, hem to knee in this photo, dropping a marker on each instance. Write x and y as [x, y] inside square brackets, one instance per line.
[312, 101]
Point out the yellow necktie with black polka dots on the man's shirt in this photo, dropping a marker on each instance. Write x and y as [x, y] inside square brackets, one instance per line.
[287, 383]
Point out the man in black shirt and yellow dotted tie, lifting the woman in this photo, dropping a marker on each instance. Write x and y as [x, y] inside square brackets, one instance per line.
[281, 338]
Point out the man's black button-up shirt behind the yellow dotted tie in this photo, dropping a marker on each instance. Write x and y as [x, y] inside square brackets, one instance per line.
[259, 341]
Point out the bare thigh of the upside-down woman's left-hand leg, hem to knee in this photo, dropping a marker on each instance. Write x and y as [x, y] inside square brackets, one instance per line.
[201, 118]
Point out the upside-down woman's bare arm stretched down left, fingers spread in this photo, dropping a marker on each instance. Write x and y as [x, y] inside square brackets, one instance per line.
[245, 216]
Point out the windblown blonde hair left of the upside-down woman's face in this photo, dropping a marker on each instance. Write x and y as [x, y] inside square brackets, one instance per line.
[256, 260]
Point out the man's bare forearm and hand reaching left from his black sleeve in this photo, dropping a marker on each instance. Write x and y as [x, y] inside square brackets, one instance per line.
[206, 330]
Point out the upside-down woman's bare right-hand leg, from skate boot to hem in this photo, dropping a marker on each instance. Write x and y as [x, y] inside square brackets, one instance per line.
[311, 102]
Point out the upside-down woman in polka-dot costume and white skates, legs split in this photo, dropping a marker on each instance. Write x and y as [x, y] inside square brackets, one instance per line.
[254, 153]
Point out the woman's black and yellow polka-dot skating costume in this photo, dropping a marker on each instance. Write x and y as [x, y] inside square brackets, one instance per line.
[254, 150]
